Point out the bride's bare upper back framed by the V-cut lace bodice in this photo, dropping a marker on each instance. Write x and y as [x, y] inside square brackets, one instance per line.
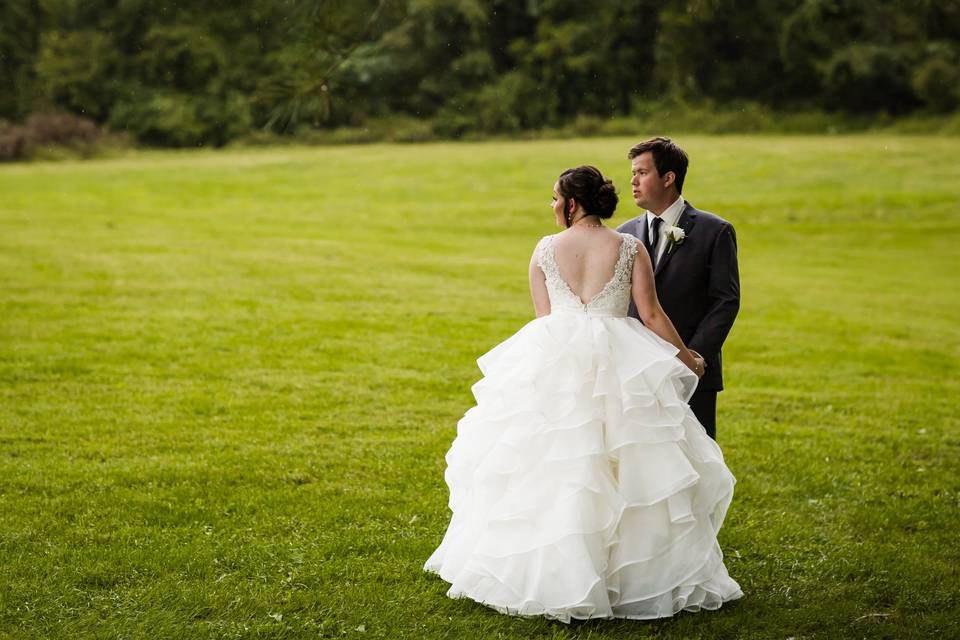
[587, 259]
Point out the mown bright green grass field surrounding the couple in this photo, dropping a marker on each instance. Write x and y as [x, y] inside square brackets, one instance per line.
[228, 379]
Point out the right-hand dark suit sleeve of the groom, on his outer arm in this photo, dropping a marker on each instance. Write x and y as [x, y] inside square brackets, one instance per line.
[724, 295]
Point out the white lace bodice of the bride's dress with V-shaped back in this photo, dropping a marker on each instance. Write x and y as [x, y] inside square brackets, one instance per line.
[613, 299]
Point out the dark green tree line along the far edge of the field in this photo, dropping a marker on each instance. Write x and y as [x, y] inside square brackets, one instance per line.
[208, 71]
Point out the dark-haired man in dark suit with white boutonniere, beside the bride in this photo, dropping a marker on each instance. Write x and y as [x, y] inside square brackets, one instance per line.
[695, 269]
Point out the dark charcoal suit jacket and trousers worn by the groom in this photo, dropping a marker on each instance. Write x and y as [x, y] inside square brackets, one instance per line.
[698, 284]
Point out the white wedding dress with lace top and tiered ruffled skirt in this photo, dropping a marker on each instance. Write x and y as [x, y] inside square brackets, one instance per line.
[581, 484]
